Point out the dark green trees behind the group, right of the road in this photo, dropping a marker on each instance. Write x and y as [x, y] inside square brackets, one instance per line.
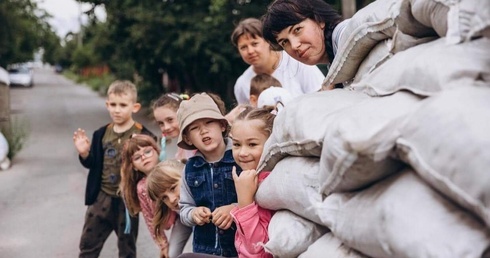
[188, 41]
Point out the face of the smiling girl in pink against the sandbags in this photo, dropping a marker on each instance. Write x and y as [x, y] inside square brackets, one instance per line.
[248, 142]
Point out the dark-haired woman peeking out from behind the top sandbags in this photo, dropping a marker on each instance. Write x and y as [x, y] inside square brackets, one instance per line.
[308, 30]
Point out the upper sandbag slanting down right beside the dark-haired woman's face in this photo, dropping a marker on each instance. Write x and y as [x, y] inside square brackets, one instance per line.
[378, 21]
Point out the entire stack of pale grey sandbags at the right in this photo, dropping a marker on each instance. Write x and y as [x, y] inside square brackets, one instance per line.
[394, 166]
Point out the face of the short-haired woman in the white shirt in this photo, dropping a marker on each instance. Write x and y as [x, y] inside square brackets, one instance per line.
[254, 51]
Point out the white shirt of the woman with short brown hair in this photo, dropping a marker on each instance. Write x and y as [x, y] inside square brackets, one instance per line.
[296, 77]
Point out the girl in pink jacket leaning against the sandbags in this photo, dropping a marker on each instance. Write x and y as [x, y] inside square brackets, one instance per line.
[249, 132]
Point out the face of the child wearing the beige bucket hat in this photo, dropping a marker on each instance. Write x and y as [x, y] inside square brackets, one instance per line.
[205, 134]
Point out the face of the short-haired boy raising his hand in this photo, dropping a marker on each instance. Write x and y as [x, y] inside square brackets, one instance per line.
[121, 108]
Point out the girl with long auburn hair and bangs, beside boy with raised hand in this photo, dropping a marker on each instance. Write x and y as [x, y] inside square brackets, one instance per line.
[139, 158]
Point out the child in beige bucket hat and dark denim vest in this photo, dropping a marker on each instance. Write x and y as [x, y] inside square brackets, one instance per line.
[208, 193]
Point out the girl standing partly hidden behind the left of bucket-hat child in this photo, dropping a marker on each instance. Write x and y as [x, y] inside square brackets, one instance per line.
[165, 114]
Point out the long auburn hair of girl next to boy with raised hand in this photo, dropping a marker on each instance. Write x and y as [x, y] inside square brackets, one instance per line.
[129, 176]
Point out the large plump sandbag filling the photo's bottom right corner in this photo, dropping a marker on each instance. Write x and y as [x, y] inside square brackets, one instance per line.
[402, 216]
